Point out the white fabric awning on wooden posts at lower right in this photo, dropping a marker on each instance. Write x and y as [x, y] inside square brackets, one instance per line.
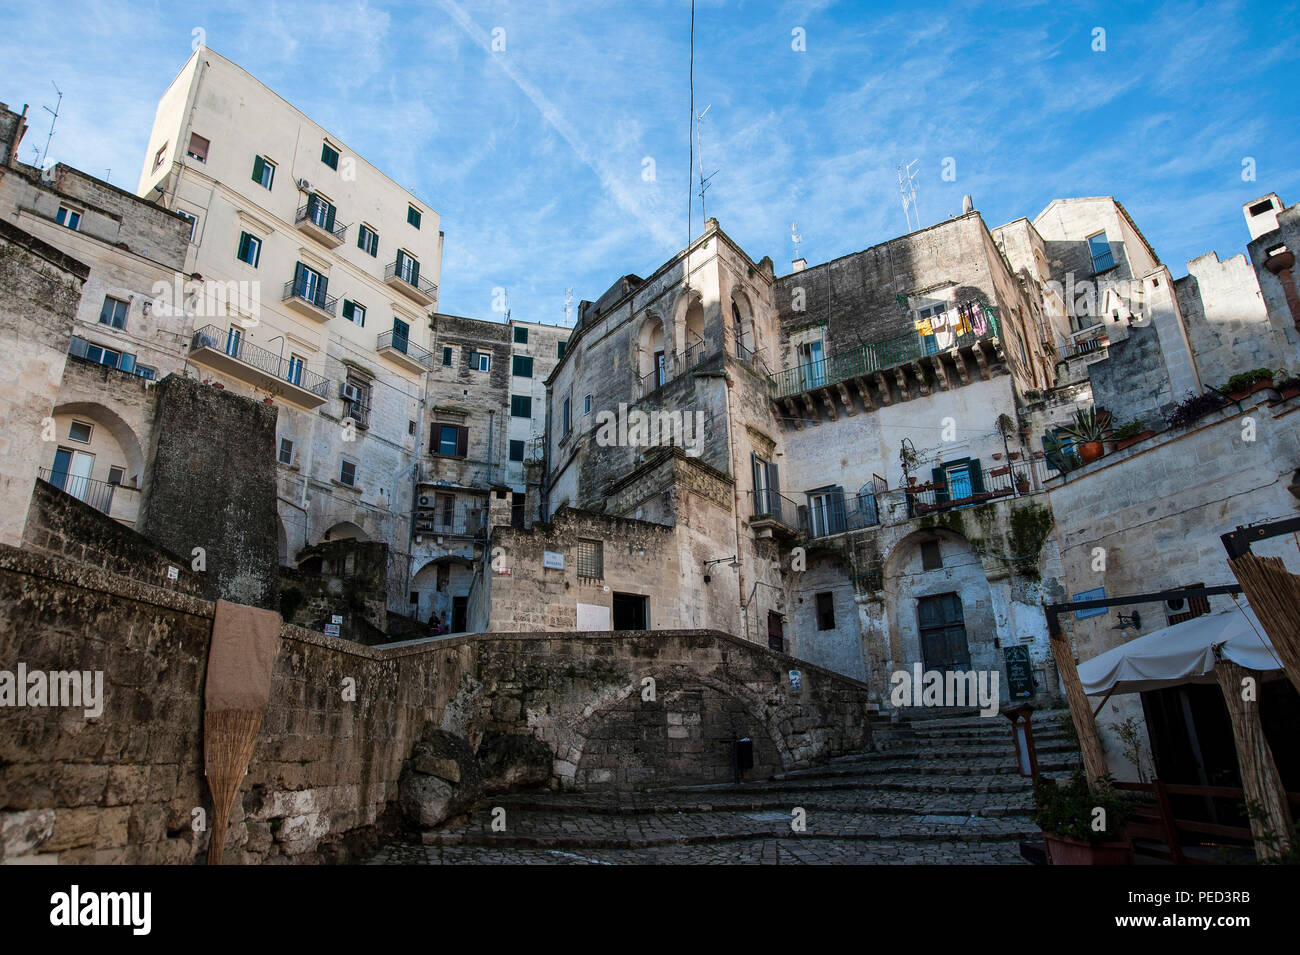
[1181, 654]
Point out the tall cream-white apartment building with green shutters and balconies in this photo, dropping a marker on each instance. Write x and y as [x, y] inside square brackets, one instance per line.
[319, 275]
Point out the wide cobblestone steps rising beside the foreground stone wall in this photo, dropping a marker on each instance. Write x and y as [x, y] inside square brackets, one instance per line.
[942, 792]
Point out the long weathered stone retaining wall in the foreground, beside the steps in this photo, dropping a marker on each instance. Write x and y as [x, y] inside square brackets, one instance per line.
[127, 785]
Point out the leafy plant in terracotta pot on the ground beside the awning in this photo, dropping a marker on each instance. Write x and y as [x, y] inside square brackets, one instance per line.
[1068, 815]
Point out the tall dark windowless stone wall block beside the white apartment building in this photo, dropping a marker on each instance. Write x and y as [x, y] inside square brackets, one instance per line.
[213, 487]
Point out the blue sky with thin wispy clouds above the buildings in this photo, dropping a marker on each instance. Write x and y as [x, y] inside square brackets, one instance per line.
[536, 157]
